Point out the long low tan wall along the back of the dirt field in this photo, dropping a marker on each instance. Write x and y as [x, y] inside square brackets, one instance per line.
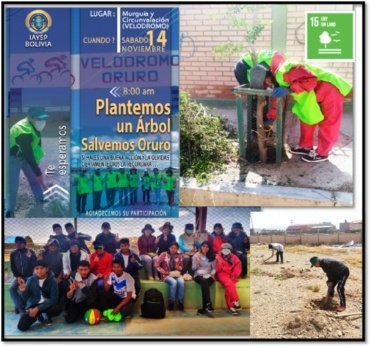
[304, 239]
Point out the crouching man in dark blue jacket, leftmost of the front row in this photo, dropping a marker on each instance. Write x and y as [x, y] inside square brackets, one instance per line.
[40, 294]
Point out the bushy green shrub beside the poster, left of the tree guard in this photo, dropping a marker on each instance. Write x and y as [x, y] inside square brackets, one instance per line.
[205, 146]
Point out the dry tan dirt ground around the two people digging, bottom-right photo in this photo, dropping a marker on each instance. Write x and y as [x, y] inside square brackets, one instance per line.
[286, 299]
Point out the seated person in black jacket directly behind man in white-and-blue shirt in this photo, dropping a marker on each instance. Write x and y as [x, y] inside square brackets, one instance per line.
[131, 261]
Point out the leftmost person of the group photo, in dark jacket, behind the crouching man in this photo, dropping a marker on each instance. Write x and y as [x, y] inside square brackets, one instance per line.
[22, 261]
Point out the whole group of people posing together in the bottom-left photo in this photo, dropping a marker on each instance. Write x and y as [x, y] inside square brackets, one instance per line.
[64, 276]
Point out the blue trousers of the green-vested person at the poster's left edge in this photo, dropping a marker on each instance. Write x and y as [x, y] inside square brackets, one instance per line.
[15, 167]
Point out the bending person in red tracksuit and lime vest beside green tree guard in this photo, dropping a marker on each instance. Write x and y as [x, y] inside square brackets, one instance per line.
[318, 102]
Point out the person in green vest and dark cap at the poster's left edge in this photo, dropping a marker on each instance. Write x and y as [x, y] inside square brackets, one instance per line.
[25, 154]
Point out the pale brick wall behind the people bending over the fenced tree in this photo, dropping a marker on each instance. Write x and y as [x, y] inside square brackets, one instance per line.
[204, 26]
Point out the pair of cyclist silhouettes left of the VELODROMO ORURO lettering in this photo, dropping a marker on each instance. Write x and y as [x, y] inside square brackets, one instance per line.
[56, 67]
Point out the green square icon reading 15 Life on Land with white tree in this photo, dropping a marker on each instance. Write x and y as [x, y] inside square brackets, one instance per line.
[330, 36]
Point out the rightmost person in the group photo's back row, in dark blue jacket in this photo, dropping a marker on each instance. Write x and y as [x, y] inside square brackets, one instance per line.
[240, 243]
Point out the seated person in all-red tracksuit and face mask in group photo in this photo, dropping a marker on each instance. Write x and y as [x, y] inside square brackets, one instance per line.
[228, 269]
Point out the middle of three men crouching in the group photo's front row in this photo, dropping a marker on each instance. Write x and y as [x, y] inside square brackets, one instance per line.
[82, 293]
